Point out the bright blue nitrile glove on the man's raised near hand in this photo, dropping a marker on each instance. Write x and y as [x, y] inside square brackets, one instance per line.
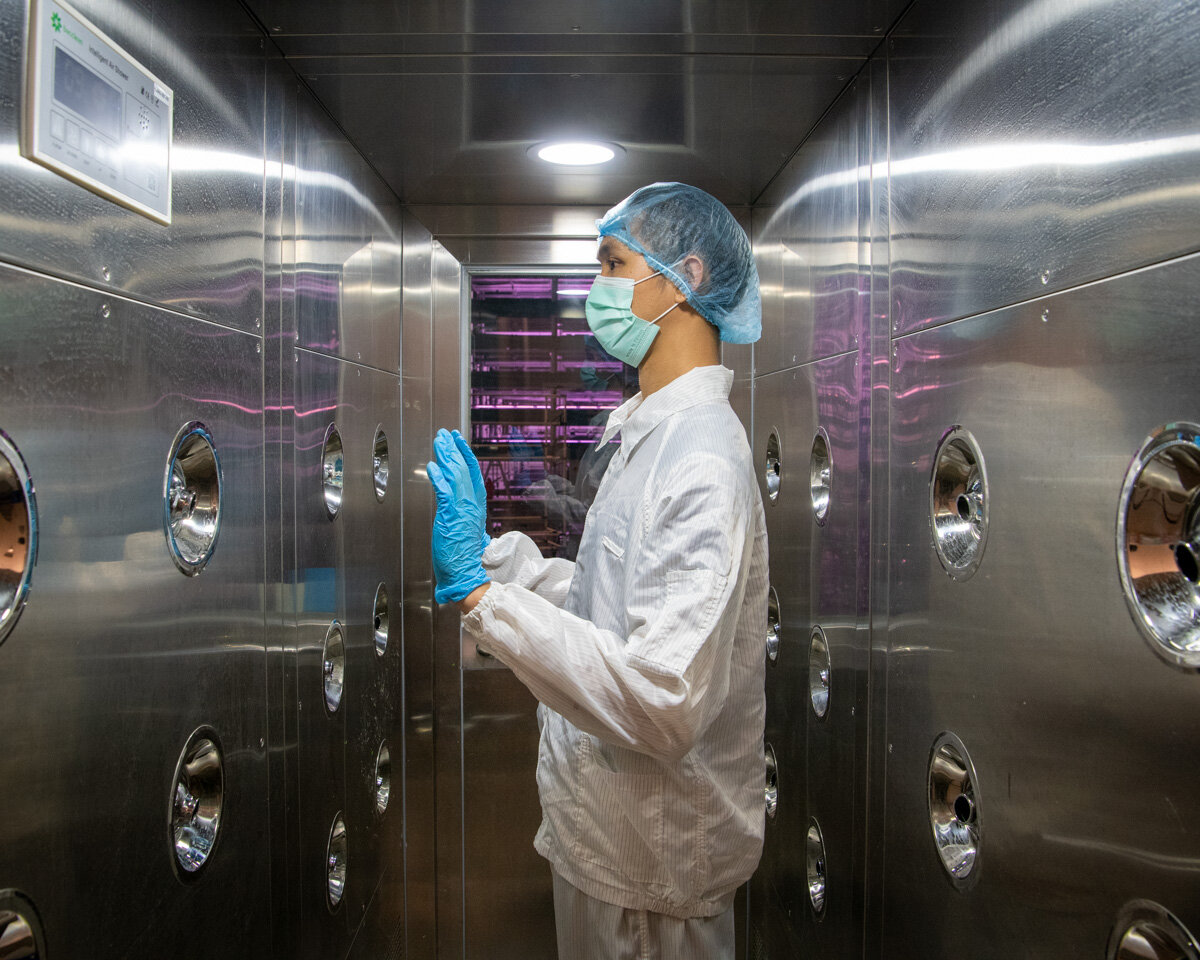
[459, 525]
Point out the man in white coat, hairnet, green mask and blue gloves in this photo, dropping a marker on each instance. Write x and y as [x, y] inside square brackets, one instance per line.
[646, 653]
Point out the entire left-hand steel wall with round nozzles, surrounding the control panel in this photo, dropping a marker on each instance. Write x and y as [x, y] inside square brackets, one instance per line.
[202, 475]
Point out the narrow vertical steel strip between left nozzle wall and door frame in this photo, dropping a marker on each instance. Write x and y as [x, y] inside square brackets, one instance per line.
[421, 801]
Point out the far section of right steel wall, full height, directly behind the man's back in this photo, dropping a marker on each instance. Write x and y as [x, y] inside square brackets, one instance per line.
[809, 407]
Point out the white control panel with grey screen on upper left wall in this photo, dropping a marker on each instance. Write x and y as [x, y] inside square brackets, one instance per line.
[94, 115]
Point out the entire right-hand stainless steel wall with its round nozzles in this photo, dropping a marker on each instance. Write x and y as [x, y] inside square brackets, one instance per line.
[1019, 777]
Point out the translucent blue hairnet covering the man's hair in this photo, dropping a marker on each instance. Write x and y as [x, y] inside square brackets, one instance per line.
[670, 223]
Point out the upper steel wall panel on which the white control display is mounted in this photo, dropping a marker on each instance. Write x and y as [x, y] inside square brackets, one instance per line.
[209, 262]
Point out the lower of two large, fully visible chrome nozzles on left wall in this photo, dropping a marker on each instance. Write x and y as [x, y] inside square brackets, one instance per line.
[197, 795]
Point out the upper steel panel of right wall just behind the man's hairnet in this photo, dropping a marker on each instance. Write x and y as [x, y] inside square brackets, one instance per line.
[809, 242]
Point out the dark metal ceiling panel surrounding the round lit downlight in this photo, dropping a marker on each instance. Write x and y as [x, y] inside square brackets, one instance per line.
[733, 147]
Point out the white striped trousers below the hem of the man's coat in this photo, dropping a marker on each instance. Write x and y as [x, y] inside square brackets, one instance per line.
[590, 929]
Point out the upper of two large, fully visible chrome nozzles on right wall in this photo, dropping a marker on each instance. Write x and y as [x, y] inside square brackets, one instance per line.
[958, 503]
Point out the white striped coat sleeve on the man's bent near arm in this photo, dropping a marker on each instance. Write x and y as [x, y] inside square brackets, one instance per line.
[656, 689]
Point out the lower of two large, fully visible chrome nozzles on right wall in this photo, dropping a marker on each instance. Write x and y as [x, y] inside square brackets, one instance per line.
[955, 809]
